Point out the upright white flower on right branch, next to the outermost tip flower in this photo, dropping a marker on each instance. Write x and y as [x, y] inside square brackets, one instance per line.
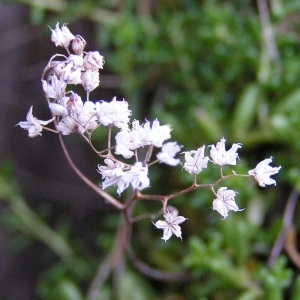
[222, 157]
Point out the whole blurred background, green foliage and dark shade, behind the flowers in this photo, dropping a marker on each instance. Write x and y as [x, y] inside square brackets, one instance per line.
[210, 69]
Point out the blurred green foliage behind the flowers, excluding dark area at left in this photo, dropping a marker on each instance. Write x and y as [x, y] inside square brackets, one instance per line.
[206, 68]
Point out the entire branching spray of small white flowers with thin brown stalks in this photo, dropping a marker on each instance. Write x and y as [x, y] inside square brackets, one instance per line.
[140, 144]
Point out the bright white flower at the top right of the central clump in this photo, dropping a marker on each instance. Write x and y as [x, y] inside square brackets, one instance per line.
[156, 134]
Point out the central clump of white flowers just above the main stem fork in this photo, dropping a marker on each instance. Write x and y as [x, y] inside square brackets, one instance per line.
[128, 141]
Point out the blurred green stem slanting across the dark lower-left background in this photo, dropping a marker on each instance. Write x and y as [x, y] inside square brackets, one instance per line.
[32, 224]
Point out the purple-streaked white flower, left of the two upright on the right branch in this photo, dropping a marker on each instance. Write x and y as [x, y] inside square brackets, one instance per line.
[195, 161]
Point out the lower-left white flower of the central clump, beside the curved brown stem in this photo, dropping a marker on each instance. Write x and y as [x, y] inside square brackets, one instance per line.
[113, 175]
